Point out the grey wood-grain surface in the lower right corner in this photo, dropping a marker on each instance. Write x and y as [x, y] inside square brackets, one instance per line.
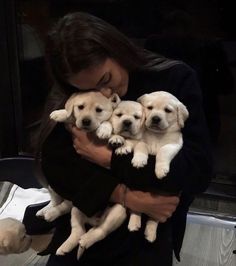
[208, 246]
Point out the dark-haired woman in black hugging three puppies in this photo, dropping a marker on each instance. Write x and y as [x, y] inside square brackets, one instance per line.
[85, 53]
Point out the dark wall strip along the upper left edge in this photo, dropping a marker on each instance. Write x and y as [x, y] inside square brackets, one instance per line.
[10, 111]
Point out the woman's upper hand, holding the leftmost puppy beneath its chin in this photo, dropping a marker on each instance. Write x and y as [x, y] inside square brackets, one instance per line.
[91, 148]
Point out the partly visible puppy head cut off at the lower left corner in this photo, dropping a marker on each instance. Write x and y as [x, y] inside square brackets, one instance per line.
[13, 237]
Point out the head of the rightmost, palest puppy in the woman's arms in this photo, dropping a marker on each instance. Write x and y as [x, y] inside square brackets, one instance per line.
[163, 111]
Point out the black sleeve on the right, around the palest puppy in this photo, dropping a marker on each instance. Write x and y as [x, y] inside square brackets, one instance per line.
[191, 169]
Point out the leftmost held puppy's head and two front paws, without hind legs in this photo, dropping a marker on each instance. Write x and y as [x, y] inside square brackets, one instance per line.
[89, 111]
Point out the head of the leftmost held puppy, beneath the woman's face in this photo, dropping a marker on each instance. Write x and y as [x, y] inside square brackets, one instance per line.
[90, 109]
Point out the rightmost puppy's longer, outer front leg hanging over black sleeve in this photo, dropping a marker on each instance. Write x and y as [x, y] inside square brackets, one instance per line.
[164, 157]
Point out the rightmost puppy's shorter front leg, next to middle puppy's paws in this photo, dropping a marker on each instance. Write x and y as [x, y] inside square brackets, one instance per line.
[140, 157]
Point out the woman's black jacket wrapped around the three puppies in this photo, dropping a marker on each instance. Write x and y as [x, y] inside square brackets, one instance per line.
[89, 186]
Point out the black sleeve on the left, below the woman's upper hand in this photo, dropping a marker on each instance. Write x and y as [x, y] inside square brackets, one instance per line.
[87, 185]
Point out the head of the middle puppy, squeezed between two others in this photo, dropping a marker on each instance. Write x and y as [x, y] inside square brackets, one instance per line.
[128, 119]
